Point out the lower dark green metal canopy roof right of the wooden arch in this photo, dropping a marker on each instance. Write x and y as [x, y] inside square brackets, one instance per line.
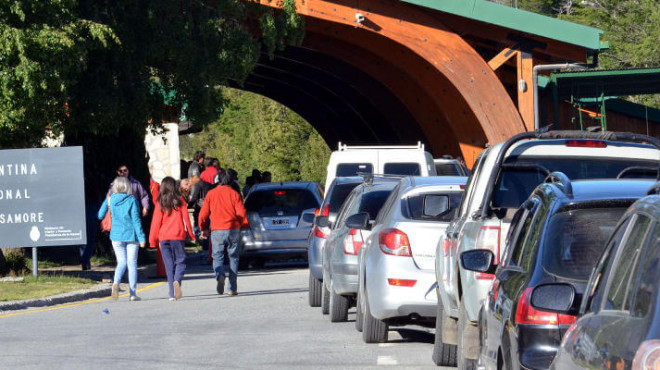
[599, 83]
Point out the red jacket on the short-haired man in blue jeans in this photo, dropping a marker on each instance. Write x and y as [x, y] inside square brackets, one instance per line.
[224, 207]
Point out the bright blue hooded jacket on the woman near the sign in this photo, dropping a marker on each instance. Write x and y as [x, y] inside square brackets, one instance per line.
[125, 215]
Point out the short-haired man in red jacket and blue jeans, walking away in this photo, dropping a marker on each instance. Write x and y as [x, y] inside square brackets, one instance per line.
[223, 206]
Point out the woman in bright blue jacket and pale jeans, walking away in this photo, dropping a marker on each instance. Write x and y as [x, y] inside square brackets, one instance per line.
[125, 233]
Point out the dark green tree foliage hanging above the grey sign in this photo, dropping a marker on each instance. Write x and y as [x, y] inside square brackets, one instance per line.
[89, 67]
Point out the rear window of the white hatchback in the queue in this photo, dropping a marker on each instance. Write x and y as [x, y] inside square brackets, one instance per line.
[413, 206]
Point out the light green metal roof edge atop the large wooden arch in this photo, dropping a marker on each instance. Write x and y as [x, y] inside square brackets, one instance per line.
[520, 20]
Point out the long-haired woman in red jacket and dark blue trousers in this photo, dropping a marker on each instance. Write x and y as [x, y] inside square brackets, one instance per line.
[170, 224]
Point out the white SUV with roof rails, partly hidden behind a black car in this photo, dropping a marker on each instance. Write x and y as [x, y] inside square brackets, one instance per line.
[503, 177]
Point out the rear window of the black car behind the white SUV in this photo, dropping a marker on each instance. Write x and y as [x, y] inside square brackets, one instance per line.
[576, 239]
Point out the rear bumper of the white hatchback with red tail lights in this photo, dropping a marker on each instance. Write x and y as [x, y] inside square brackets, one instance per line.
[389, 301]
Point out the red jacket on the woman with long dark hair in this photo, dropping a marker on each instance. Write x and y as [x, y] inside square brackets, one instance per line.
[164, 227]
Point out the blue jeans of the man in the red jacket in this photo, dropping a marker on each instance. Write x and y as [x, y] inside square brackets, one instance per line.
[220, 240]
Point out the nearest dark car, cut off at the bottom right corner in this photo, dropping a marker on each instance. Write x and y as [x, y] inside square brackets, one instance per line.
[618, 325]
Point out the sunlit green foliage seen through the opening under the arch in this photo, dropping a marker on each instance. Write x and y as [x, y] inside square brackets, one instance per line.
[256, 132]
